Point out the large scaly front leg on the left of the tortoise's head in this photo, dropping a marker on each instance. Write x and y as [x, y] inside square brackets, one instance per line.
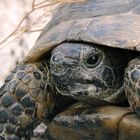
[23, 100]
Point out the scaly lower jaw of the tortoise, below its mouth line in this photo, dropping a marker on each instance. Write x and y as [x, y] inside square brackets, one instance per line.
[83, 91]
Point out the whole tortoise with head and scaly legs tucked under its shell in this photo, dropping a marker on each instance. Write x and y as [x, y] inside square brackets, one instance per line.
[86, 60]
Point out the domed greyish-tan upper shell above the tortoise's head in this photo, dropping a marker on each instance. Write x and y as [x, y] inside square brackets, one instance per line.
[113, 23]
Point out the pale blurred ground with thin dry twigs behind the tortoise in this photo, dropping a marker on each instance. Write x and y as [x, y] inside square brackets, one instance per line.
[21, 22]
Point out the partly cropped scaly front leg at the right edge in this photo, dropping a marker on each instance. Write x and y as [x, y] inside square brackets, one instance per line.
[132, 84]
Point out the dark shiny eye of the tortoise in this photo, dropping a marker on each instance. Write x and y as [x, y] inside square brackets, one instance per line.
[93, 60]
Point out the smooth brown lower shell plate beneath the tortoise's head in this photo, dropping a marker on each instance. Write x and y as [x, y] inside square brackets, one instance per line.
[82, 121]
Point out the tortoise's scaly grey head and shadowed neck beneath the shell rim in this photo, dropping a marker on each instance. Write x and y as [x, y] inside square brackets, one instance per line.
[88, 72]
